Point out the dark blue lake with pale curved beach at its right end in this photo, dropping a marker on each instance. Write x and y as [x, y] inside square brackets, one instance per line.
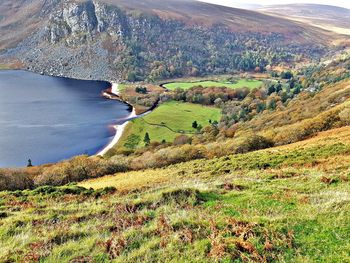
[48, 119]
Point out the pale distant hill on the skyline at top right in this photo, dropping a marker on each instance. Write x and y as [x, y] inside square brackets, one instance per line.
[328, 17]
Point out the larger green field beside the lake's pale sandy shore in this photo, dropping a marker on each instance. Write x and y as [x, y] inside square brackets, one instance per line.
[168, 121]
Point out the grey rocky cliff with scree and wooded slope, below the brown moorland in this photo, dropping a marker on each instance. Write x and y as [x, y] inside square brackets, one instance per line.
[92, 39]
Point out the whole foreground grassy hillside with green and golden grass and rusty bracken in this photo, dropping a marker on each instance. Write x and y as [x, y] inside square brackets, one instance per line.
[289, 204]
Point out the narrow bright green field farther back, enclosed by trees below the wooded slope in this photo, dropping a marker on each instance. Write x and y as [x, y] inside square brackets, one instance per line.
[242, 83]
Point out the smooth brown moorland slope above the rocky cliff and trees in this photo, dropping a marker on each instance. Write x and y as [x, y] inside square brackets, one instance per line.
[199, 13]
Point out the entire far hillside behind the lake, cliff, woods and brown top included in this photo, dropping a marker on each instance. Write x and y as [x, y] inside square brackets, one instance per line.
[138, 40]
